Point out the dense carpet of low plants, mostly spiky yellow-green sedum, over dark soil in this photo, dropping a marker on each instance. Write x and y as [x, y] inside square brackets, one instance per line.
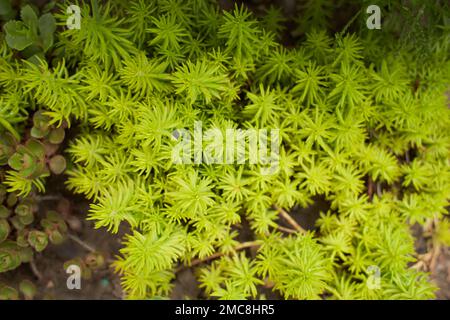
[154, 91]
